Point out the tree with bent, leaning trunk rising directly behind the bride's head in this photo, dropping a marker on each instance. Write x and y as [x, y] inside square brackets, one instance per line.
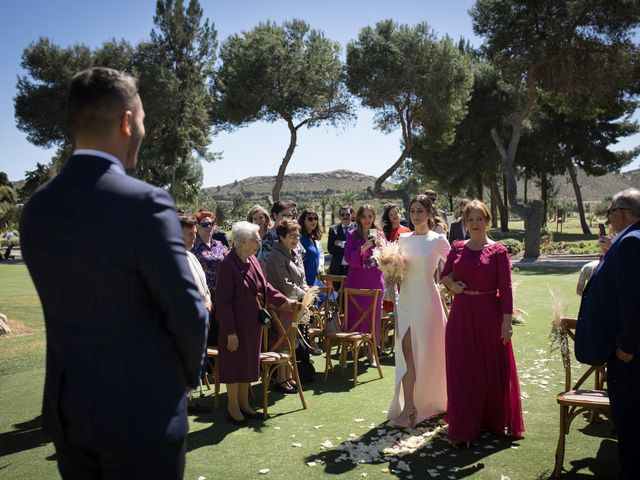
[413, 81]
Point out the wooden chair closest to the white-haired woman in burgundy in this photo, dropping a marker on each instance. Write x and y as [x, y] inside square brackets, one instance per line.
[271, 359]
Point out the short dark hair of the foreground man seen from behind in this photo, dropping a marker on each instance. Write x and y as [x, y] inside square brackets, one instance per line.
[97, 97]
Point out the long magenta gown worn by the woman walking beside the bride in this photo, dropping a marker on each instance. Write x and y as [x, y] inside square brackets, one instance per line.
[482, 381]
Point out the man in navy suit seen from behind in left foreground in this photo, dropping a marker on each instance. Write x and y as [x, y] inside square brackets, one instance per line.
[122, 313]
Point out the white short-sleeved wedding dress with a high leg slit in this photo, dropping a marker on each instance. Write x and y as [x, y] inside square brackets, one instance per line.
[420, 310]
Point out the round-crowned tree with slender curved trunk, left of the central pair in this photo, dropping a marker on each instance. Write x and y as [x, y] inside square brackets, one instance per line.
[286, 72]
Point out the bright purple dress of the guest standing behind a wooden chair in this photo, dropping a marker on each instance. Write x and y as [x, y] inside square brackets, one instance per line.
[362, 274]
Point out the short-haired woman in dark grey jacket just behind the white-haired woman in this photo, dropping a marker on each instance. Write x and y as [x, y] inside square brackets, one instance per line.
[285, 271]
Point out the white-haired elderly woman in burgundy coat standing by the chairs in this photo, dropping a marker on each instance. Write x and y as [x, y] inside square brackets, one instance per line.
[242, 290]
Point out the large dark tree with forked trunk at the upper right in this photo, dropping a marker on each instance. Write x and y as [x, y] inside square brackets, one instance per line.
[576, 52]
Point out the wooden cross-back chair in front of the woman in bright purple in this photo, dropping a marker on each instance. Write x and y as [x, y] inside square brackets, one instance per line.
[351, 338]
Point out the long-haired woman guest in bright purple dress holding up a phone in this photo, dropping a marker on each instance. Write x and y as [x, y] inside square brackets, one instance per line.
[363, 269]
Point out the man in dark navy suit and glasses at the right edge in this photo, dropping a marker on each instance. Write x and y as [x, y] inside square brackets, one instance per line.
[608, 329]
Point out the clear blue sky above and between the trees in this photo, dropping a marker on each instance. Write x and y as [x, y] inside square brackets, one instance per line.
[253, 150]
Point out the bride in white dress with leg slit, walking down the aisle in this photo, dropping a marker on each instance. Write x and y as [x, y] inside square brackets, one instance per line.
[420, 385]
